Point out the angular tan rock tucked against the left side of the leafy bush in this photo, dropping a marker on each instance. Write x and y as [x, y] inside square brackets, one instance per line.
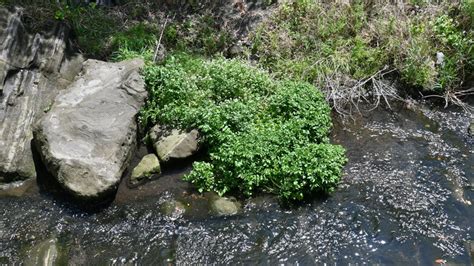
[174, 144]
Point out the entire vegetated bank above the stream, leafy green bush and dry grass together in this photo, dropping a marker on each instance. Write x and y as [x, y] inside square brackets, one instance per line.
[258, 79]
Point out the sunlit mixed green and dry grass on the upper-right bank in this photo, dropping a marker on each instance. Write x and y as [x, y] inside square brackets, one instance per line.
[314, 42]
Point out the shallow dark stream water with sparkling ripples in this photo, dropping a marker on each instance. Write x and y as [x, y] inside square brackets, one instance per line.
[404, 199]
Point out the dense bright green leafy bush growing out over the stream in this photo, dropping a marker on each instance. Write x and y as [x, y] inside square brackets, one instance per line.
[261, 134]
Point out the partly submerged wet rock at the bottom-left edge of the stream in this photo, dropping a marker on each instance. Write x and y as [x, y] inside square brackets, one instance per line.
[45, 254]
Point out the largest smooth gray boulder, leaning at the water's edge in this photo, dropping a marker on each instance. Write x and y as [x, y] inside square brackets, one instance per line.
[88, 137]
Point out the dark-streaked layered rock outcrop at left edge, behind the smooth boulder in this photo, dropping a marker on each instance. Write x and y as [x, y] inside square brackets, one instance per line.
[33, 69]
